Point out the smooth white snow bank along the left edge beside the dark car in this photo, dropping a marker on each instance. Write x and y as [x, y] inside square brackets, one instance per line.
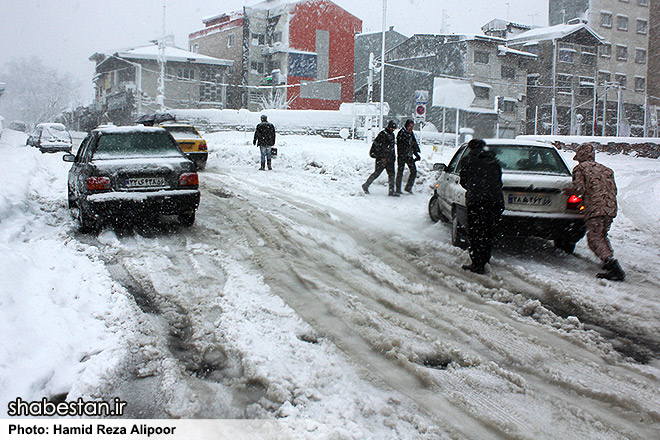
[57, 308]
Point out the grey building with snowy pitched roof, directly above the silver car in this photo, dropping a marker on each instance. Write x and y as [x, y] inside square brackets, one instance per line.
[561, 79]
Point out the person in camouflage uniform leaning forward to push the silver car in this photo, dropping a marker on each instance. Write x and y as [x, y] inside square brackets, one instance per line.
[595, 183]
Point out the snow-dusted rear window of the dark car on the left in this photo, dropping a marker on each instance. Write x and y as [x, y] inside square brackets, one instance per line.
[135, 144]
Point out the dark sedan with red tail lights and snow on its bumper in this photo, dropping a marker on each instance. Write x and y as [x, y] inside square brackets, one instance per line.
[124, 173]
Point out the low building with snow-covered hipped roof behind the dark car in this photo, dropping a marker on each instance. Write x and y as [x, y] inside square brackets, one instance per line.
[127, 81]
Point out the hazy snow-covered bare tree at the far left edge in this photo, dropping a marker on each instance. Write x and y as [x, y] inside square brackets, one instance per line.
[35, 92]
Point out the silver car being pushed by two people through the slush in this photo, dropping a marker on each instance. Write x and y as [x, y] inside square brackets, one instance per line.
[533, 177]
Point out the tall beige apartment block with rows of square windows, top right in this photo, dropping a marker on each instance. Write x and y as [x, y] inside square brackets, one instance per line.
[624, 58]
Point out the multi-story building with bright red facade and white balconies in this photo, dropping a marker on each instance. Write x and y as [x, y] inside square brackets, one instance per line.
[296, 54]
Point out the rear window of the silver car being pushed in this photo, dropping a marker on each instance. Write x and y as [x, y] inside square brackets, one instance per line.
[528, 158]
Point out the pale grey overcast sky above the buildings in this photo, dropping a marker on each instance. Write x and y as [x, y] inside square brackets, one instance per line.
[64, 33]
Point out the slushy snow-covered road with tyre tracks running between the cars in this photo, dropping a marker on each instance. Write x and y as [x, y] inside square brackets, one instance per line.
[296, 296]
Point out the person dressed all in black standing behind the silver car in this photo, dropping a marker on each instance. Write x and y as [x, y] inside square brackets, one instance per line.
[481, 176]
